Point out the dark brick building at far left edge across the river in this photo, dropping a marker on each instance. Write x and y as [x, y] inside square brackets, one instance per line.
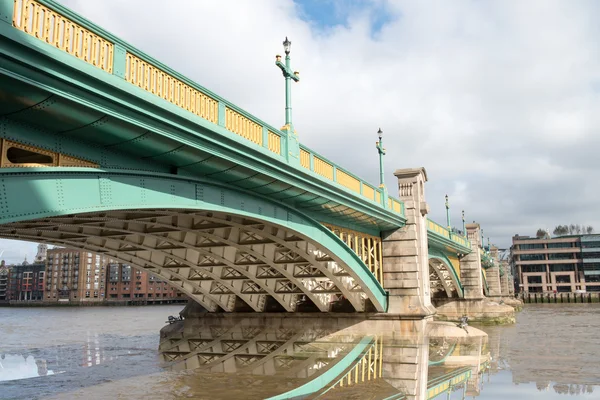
[25, 282]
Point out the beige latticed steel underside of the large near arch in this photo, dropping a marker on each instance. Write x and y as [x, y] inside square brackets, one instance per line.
[224, 262]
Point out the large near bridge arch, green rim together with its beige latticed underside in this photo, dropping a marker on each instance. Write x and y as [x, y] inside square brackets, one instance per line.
[217, 244]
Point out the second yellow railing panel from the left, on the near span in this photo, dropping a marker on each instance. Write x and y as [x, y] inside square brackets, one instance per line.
[153, 80]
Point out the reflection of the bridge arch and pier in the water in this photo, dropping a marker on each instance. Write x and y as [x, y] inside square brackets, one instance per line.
[311, 358]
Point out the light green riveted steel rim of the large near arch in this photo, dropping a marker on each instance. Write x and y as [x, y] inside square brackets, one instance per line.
[34, 193]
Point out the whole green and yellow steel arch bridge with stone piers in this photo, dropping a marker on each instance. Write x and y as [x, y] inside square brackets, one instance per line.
[106, 149]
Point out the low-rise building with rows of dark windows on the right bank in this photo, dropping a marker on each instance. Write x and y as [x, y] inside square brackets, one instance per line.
[559, 264]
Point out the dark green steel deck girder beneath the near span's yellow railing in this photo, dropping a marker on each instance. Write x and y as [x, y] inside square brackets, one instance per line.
[120, 116]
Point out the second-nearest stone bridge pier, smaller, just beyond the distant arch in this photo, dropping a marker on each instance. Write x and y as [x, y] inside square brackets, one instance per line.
[470, 265]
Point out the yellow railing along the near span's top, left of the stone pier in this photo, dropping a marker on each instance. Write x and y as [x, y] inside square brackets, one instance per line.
[60, 27]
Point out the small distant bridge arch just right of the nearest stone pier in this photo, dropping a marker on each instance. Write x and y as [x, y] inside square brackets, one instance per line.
[442, 275]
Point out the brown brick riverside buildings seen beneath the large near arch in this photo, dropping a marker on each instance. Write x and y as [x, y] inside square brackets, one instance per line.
[81, 276]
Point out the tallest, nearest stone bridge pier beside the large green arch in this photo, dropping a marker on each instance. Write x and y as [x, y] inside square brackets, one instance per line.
[405, 251]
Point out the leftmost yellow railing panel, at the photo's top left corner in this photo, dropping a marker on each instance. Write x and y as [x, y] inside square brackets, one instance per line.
[39, 21]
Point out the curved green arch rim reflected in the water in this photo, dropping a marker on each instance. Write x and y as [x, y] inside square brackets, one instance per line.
[330, 375]
